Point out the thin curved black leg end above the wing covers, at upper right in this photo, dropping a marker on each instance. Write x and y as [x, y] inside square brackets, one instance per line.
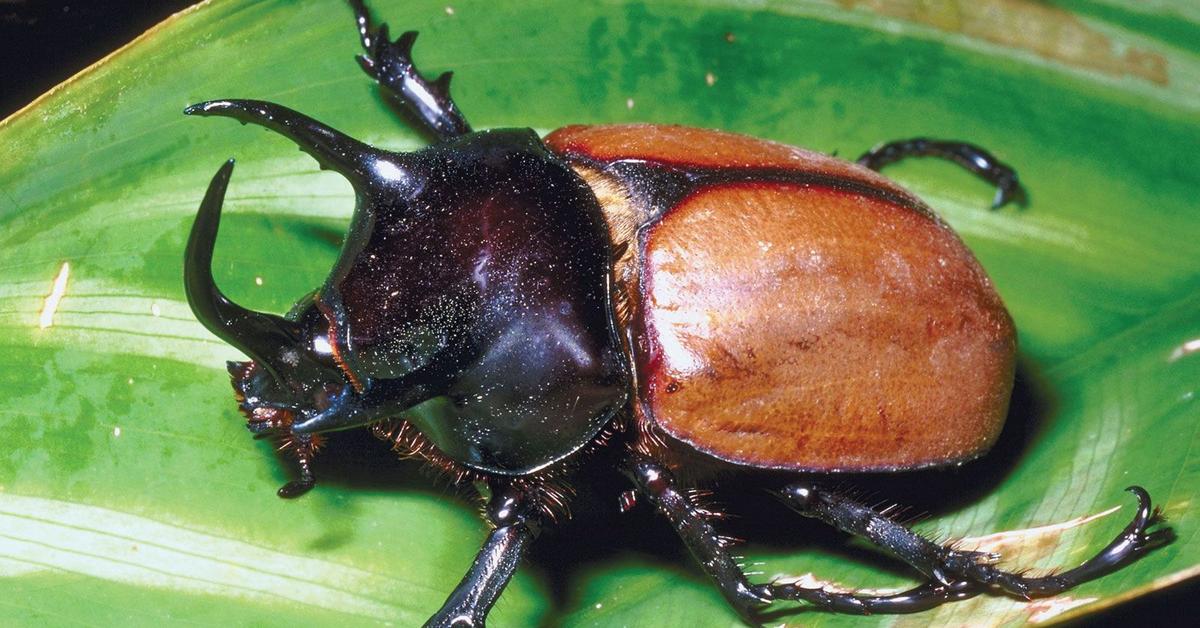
[970, 157]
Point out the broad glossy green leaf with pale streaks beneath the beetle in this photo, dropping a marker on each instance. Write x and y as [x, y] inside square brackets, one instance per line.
[130, 492]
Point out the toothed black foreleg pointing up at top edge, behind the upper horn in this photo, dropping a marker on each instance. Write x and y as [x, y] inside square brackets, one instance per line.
[391, 63]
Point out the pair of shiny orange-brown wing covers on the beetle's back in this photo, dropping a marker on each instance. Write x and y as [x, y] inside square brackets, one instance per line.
[795, 325]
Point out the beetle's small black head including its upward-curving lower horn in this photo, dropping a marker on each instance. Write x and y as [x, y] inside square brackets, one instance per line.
[292, 366]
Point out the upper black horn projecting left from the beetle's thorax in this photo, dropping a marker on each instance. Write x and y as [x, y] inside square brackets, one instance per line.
[333, 149]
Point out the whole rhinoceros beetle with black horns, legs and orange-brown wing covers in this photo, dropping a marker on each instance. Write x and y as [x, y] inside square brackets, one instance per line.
[695, 300]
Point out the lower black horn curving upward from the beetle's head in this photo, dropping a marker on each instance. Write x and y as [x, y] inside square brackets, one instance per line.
[260, 336]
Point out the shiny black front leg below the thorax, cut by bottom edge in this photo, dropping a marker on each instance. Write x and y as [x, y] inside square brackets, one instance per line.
[512, 511]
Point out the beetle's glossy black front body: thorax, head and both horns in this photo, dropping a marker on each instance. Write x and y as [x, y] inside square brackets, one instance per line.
[507, 319]
